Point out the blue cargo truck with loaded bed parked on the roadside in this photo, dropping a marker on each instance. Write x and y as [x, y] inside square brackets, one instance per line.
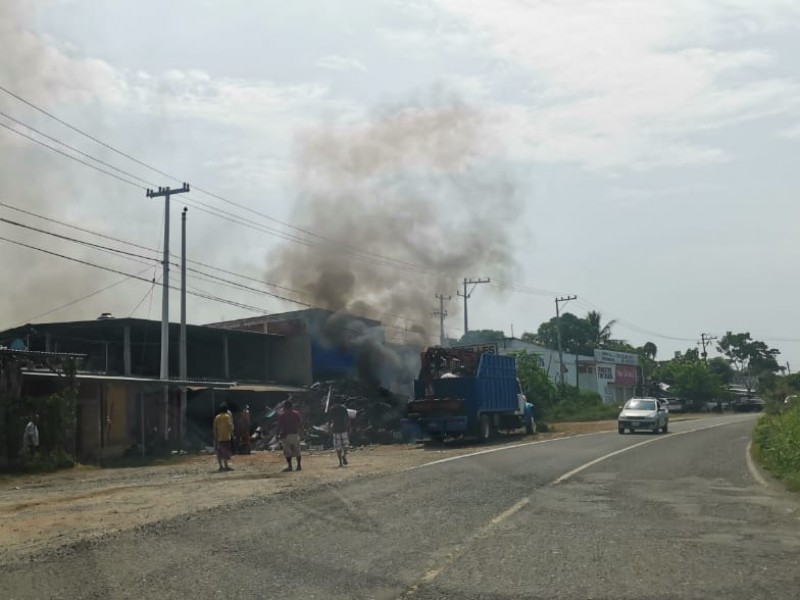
[462, 392]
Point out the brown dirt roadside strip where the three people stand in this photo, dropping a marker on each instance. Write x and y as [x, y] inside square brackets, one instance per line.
[39, 512]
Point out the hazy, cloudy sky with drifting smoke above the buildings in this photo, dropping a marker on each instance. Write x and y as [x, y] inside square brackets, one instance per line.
[641, 155]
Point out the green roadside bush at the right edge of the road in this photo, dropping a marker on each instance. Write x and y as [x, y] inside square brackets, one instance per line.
[776, 440]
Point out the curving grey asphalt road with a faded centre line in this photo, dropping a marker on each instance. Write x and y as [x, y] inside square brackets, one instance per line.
[596, 516]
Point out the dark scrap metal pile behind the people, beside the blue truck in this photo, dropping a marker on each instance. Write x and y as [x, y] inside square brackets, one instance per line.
[376, 414]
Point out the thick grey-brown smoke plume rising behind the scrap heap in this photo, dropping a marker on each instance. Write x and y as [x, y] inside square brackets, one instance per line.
[409, 202]
